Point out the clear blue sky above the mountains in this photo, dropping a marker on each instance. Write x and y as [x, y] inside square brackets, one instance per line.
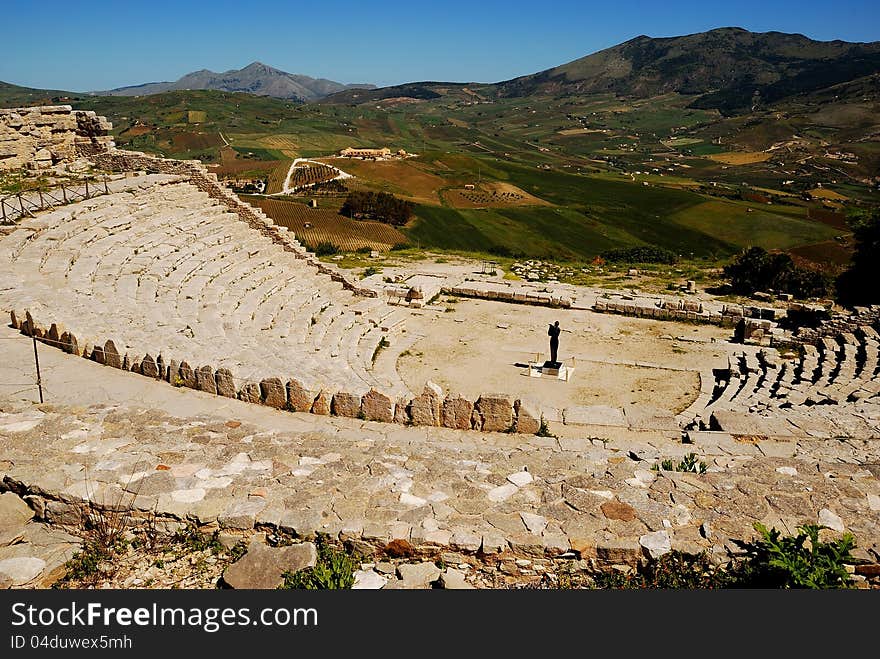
[83, 45]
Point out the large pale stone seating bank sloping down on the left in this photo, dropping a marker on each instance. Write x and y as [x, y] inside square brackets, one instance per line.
[160, 267]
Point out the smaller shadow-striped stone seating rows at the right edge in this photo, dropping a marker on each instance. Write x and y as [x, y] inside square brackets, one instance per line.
[829, 390]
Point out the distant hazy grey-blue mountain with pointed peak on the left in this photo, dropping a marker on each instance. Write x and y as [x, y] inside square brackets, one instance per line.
[256, 78]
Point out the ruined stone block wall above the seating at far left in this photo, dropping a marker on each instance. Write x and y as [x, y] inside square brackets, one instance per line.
[40, 137]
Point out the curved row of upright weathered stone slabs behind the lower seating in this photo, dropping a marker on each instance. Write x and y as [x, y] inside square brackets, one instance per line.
[489, 413]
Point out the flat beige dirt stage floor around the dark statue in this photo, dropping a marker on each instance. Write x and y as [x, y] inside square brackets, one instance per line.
[484, 347]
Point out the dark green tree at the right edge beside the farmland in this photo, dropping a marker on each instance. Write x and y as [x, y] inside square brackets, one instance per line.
[858, 284]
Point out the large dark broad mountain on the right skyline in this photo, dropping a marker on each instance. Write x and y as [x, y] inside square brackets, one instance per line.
[731, 69]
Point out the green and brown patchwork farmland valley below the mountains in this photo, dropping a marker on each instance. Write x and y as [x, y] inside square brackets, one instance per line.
[680, 200]
